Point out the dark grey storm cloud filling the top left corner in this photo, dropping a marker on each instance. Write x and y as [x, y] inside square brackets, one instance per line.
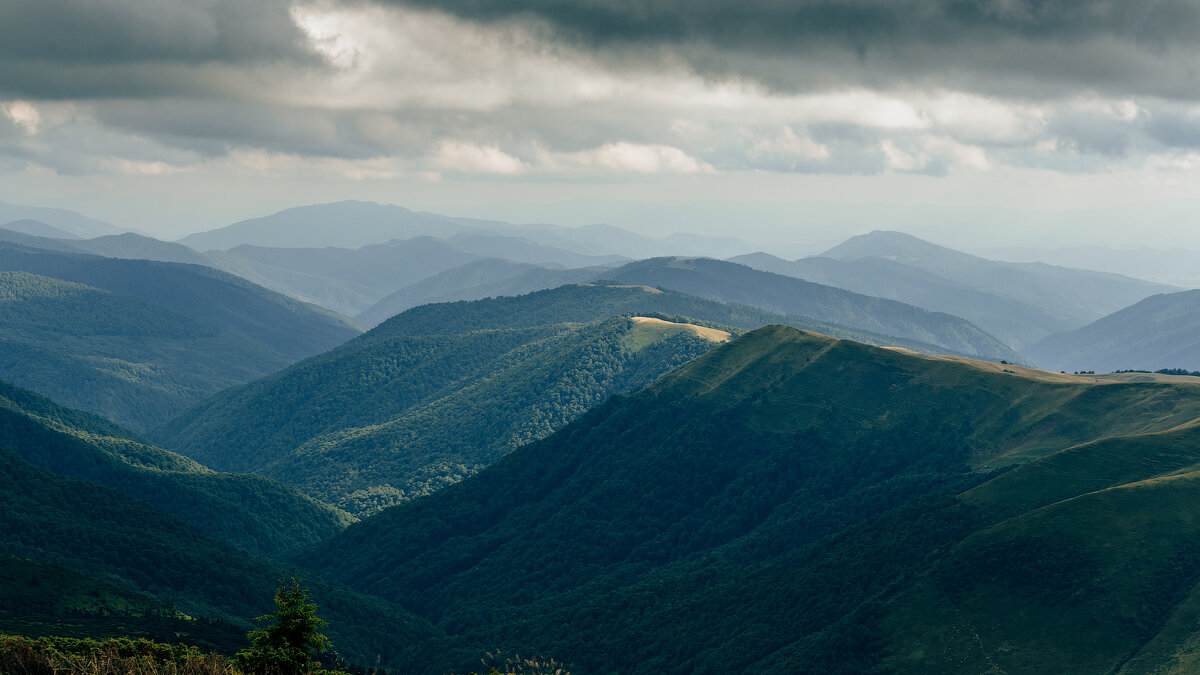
[88, 49]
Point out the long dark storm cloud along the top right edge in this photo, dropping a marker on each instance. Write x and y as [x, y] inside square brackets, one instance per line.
[1001, 46]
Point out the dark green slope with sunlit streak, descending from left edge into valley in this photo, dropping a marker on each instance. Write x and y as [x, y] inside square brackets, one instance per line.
[249, 512]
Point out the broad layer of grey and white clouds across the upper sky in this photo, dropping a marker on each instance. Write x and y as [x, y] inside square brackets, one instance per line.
[586, 91]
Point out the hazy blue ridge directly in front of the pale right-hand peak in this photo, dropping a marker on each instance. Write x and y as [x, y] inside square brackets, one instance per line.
[1015, 322]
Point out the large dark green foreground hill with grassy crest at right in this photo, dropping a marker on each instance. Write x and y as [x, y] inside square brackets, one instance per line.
[781, 504]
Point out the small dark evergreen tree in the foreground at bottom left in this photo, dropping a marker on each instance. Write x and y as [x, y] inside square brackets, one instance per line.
[286, 647]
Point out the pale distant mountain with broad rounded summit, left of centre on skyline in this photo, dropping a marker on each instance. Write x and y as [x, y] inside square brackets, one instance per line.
[340, 224]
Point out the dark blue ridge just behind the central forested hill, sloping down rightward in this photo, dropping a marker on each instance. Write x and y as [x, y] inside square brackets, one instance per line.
[733, 283]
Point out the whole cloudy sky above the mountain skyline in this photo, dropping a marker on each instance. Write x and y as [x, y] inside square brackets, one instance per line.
[800, 123]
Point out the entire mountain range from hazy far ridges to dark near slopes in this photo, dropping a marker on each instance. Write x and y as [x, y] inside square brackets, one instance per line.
[542, 447]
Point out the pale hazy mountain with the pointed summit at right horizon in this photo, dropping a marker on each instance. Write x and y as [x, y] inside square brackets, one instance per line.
[1075, 295]
